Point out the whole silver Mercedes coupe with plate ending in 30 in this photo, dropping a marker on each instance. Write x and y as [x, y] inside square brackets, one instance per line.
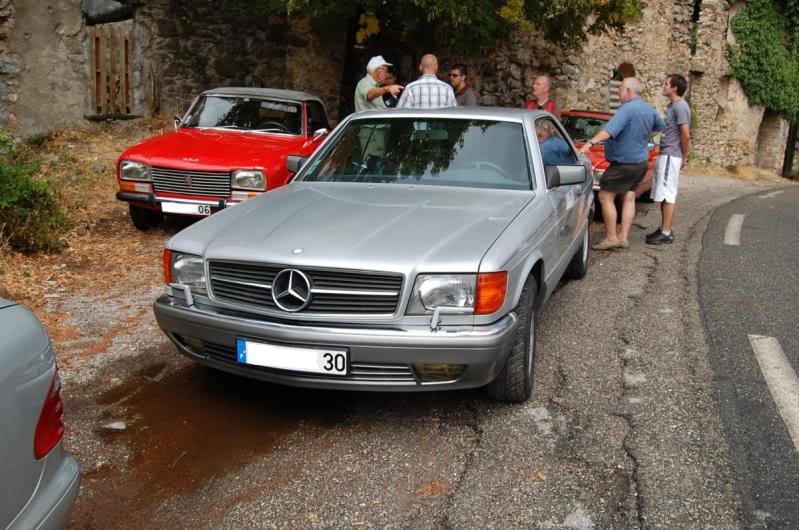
[412, 252]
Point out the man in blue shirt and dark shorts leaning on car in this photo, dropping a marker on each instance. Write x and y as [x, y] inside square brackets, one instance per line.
[626, 148]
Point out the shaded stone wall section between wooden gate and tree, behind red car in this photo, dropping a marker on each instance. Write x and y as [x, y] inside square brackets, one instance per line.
[184, 48]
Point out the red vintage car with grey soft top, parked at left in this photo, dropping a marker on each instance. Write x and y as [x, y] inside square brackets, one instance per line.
[230, 146]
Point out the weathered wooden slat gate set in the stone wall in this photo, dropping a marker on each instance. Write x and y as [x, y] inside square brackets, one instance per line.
[111, 69]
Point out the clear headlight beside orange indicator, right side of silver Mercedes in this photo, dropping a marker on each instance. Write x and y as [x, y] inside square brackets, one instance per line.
[435, 290]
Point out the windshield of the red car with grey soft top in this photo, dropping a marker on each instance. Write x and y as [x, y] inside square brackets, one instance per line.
[246, 113]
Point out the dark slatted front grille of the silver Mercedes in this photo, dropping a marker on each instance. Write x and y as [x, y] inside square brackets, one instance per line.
[333, 291]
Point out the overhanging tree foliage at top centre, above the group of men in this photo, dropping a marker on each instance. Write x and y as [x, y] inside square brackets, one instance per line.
[469, 24]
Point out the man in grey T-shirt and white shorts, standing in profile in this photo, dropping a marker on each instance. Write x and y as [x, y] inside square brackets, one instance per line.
[674, 146]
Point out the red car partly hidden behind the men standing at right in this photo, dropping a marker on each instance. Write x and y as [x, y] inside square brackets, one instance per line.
[583, 125]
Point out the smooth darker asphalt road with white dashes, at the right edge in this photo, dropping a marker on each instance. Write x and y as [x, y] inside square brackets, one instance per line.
[752, 288]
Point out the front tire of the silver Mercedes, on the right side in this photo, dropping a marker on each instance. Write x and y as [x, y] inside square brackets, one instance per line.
[514, 384]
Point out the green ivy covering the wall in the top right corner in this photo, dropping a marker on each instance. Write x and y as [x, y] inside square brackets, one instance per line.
[766, 56]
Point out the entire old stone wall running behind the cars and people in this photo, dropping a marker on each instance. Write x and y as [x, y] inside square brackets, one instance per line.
[181, 48]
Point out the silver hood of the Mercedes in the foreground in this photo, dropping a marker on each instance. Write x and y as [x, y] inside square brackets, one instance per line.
[360, 226]
